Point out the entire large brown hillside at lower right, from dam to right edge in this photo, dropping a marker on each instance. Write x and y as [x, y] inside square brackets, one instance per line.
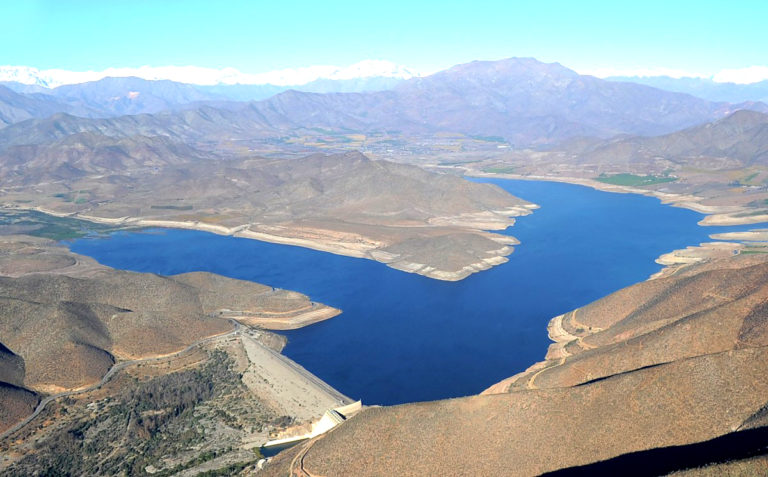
[664, 368]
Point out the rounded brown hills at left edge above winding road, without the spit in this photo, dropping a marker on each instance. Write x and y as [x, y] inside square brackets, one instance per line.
[92, 320]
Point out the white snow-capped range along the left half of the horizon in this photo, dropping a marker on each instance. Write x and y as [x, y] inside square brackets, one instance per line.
[197, 75]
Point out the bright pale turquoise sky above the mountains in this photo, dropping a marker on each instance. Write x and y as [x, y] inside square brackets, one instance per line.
[254, 36]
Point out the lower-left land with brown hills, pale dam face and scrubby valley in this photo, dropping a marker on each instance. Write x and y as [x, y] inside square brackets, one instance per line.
[115, 355]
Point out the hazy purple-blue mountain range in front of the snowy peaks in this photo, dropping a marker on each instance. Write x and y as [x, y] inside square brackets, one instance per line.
[520, 100]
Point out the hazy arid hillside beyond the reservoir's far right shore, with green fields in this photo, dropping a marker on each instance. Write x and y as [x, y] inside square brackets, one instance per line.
[718, 168]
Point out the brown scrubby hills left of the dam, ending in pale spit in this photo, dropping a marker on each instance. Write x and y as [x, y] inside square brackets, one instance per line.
[63, 332]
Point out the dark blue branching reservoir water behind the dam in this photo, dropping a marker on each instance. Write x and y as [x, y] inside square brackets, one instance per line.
[403, 337]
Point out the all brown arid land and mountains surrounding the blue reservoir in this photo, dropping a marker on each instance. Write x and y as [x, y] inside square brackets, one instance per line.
[106, 372]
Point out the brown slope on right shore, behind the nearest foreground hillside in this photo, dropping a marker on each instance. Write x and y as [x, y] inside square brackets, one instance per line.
[700, 311]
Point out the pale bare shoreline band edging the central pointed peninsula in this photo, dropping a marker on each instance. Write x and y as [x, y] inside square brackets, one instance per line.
[349, 244]
